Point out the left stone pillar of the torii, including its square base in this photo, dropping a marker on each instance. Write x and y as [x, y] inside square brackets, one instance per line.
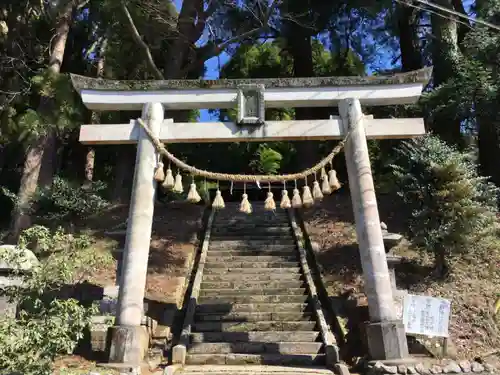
[129, 340]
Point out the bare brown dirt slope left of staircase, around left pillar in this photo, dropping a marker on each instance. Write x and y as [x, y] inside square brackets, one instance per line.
[174, 239]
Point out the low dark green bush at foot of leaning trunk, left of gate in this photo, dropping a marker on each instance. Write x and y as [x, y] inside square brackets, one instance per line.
[65, 199]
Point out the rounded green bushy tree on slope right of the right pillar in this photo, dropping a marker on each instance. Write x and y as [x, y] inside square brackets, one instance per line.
[453, 208]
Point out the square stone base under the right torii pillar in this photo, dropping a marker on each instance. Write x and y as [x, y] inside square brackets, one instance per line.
[387, 340]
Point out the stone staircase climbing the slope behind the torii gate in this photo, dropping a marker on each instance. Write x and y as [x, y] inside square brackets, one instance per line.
[253, 302]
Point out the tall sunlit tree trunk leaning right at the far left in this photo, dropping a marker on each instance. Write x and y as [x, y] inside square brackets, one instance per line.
[45, 144]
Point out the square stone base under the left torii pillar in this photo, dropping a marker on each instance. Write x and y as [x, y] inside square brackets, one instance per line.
[128, 344]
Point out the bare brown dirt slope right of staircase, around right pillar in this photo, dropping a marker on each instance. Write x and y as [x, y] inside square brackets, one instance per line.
[472, 288]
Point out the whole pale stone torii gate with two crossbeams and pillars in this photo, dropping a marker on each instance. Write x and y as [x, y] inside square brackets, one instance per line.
[386, 335]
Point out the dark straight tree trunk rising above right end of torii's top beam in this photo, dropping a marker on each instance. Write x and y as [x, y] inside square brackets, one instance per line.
[411, 58]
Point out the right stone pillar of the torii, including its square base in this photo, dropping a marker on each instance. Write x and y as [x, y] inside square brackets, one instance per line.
[385, 333]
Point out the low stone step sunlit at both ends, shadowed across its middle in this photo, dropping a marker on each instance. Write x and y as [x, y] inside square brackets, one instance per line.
[292, 348]
